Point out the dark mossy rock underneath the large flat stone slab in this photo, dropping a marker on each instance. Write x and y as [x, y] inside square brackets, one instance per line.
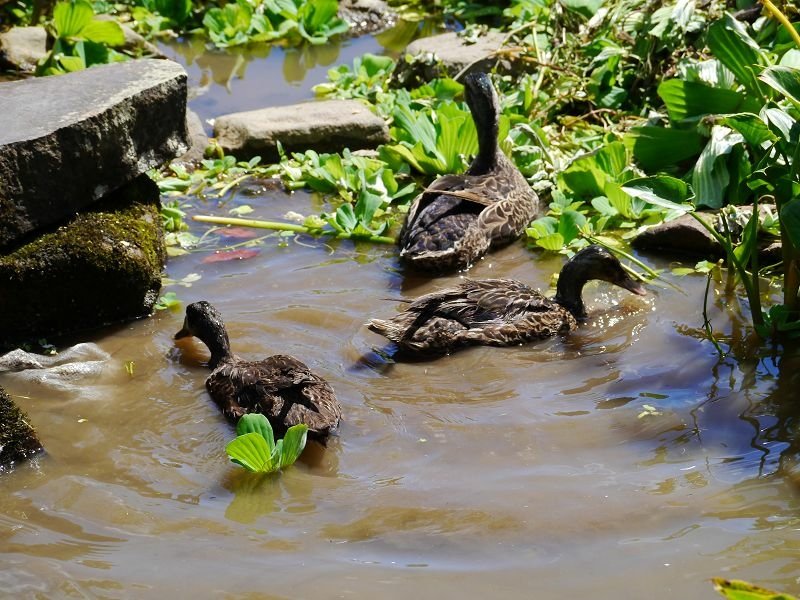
[102, 267]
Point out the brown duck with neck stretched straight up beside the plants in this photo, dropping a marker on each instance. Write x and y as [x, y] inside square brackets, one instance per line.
[458, 218]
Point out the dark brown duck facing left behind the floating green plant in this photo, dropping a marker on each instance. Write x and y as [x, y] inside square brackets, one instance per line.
[281, 387]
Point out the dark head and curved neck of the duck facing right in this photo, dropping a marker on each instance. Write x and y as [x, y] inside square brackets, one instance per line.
[590, 263]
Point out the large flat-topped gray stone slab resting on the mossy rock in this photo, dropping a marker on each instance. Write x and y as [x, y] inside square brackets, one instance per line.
[70, 139]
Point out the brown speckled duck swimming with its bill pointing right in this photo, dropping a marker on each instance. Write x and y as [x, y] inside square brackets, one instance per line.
[501, 312]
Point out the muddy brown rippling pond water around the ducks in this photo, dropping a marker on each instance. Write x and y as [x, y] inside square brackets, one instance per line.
[525, 471]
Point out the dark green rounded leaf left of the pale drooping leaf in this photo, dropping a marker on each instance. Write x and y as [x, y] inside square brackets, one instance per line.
[655, 148]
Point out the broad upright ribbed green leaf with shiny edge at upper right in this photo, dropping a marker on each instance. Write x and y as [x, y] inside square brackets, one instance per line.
[728, 41]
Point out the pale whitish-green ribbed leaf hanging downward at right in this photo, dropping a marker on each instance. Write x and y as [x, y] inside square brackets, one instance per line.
[710, 177]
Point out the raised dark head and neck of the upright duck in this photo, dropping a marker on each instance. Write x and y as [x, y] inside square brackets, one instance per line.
[485, 108]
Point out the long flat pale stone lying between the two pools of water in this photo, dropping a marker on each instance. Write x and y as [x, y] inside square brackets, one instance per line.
[325, 126]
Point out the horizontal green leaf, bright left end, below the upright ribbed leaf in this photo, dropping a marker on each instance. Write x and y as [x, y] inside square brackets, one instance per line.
[686, 99]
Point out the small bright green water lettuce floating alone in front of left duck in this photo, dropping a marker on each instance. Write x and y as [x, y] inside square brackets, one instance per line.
[255, 447]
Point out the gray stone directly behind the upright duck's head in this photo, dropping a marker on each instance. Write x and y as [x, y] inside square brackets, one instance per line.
[447, 54]
